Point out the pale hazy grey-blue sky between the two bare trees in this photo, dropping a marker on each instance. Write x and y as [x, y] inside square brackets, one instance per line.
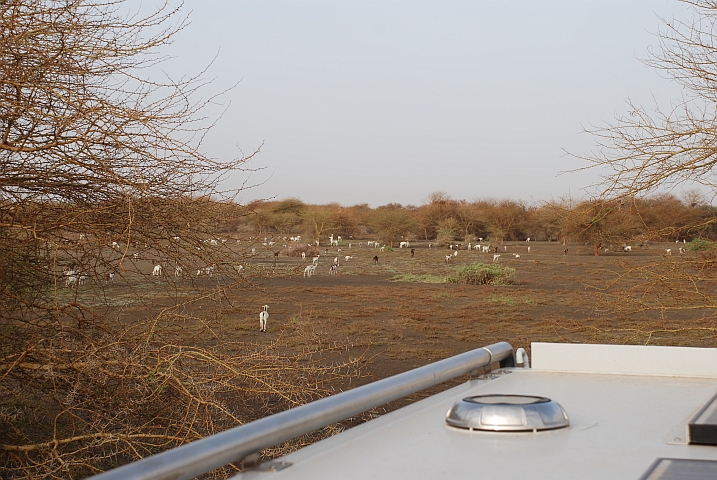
[379, 102]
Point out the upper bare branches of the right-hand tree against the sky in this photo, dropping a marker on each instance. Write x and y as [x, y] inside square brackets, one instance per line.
[643, 151]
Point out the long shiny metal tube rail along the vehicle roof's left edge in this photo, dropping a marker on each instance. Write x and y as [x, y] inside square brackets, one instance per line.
[237, 443]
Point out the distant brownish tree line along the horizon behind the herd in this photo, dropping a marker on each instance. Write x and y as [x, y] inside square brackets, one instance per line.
[663, 217]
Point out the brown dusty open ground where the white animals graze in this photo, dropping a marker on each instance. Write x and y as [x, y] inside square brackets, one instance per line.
[404, 325]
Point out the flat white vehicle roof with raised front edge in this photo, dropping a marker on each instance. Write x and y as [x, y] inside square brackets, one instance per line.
[628, 406]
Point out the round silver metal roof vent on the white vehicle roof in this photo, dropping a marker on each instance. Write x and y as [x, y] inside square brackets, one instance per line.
[507, 413]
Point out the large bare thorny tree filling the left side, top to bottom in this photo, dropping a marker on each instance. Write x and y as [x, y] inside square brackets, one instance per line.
[102, 173]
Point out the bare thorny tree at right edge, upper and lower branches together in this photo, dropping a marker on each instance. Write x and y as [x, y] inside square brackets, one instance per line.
[644, 151]
